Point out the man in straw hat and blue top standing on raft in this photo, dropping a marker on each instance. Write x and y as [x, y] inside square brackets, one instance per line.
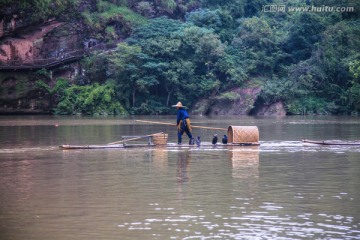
[183, 123]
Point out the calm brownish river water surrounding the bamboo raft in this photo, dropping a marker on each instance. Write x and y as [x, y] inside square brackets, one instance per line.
[280, 190]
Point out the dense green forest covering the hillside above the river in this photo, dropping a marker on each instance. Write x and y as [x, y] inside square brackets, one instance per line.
[305, 54]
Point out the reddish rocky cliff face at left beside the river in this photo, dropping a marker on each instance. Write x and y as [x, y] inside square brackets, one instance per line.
[29, 47]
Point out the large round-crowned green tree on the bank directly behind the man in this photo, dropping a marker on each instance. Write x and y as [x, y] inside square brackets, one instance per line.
[182, 58]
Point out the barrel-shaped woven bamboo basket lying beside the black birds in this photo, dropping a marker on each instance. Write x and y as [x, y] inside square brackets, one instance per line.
[243, 134]
